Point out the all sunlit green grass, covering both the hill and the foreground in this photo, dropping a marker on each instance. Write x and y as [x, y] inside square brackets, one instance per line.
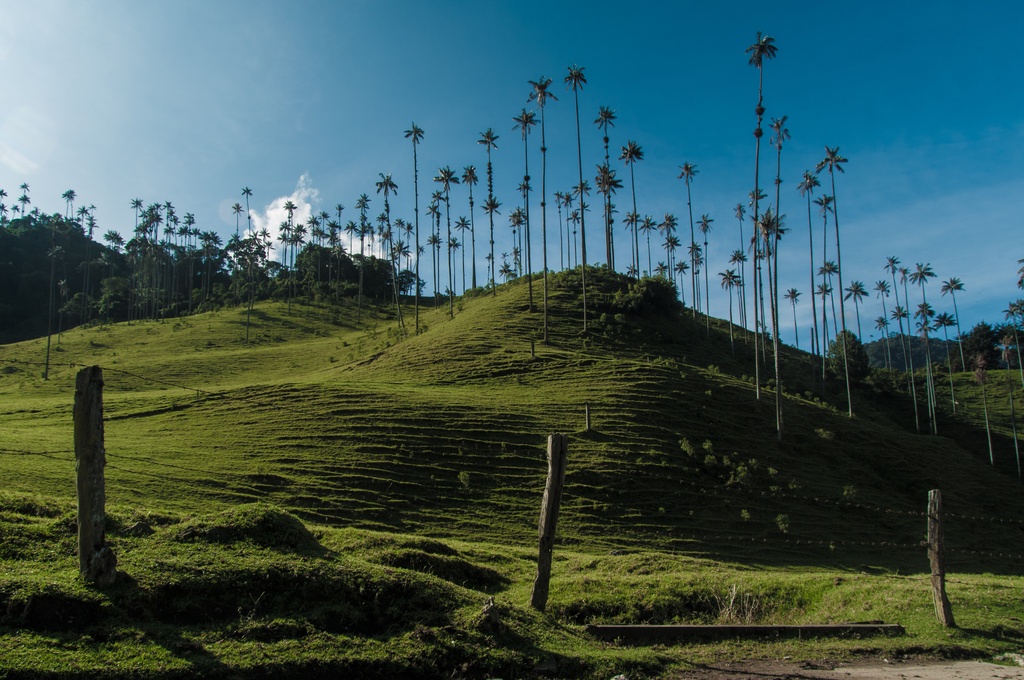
[425, 455]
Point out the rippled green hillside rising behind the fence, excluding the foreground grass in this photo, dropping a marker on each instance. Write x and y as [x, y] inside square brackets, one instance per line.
[443, 435]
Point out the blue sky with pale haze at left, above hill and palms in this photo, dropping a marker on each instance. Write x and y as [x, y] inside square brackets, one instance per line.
[191, 101]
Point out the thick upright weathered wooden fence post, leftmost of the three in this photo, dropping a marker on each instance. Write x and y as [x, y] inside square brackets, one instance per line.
[97, 562]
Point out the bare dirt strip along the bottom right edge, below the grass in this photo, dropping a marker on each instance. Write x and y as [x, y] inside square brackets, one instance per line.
[859, 670]
